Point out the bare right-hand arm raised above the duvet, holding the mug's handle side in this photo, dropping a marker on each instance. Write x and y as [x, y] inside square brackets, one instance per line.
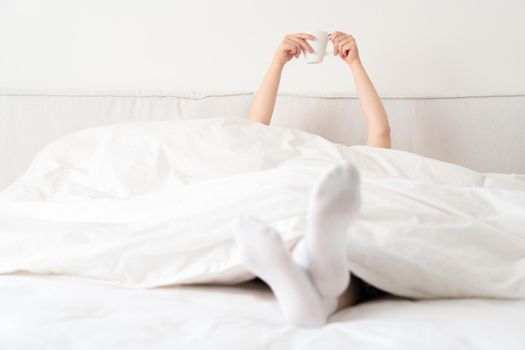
[375, 114]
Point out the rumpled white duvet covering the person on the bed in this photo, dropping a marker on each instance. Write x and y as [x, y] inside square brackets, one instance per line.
[149, 204]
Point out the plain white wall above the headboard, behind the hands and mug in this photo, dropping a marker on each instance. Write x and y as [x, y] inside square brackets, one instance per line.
[411, 48]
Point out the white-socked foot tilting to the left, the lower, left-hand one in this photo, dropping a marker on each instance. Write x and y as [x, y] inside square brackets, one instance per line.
[264, 254]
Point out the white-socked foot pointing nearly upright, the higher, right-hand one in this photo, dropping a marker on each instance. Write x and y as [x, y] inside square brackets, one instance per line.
[334, 204]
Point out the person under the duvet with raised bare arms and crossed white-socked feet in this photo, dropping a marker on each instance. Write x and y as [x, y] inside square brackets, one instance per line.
[313, 281]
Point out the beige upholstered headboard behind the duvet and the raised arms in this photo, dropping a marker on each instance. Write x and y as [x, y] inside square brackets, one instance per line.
[483, 133]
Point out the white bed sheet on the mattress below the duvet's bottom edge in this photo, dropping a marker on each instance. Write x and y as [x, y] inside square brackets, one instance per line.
[40, 312]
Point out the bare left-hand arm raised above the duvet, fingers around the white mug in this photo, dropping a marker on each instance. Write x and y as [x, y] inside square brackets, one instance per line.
[262, 107]
